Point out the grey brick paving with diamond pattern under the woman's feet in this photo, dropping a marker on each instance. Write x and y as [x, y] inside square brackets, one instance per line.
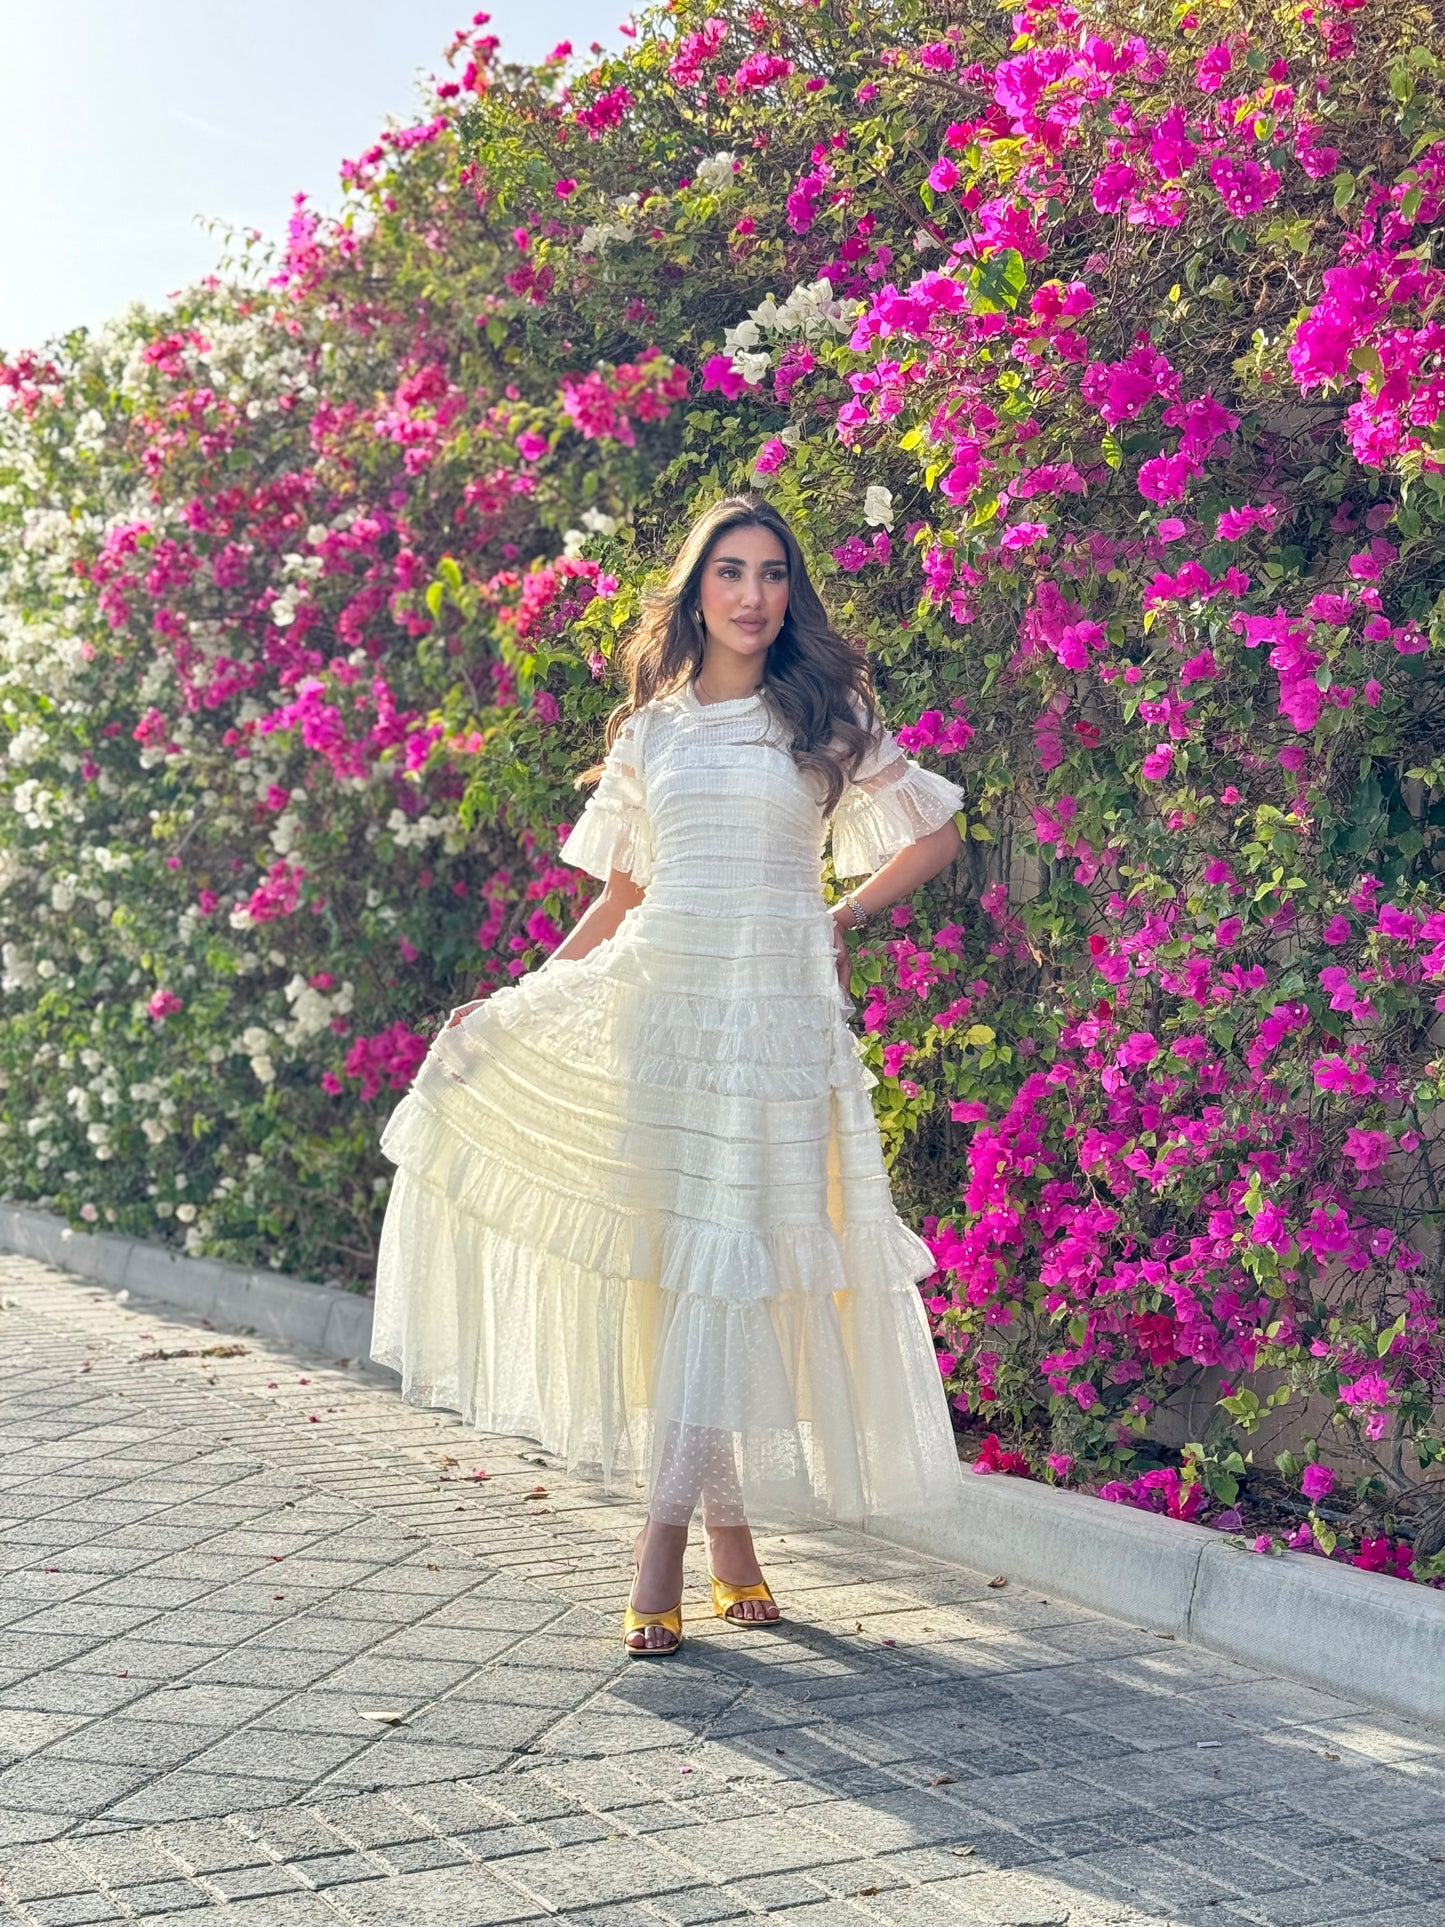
[269, 1649]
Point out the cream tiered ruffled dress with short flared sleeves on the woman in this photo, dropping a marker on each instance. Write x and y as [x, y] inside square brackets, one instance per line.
[641, 1209]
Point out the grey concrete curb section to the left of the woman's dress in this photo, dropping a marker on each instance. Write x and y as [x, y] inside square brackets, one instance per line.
[230, 1298]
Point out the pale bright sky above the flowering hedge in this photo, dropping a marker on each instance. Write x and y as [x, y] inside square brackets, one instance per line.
[124, 120]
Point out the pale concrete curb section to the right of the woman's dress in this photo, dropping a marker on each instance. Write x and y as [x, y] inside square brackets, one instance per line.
[1359, 1635]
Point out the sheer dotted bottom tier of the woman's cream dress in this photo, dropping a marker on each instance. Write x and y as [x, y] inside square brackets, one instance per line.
[820, 1392]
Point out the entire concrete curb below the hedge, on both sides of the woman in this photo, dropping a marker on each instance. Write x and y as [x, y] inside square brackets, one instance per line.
[1352, 1633]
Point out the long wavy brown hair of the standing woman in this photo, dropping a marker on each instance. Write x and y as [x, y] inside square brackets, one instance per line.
[814, 679]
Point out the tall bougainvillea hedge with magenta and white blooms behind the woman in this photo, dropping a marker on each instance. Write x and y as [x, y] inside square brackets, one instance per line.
[1097, 357]
